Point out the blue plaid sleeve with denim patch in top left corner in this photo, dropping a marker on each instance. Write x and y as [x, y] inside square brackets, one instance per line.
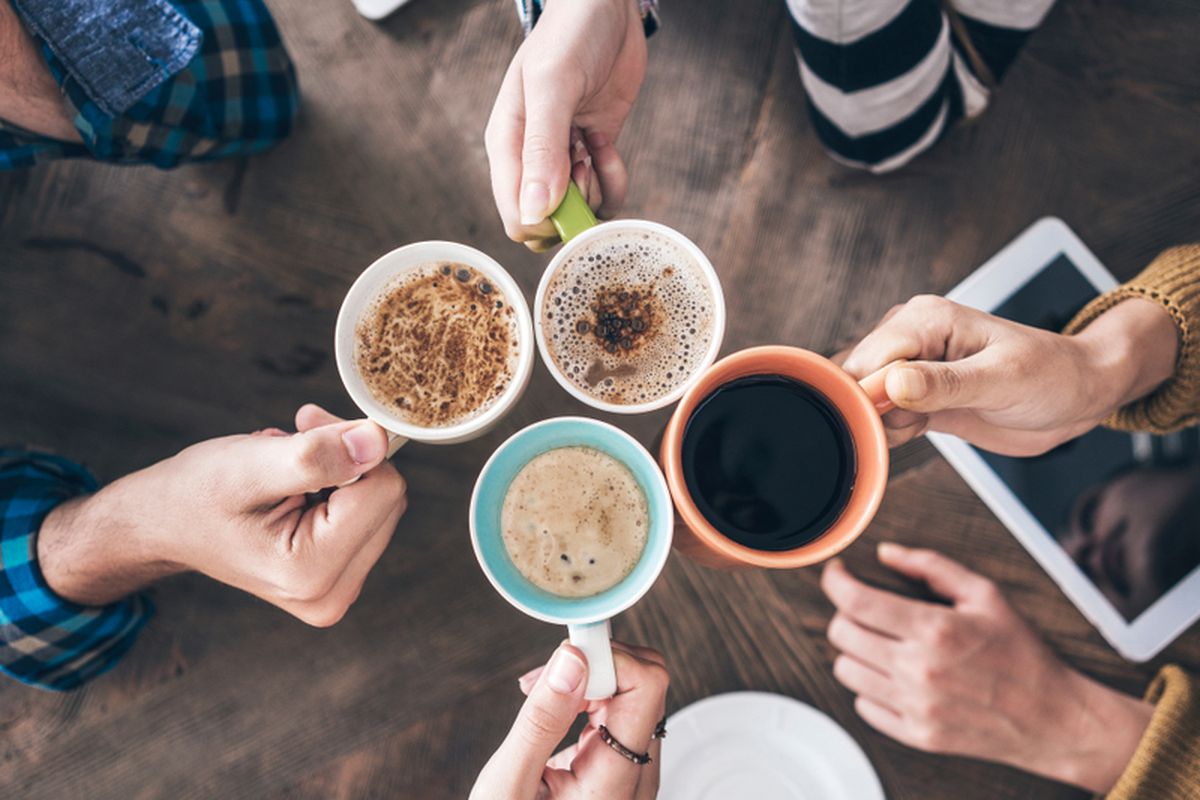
[237, 95]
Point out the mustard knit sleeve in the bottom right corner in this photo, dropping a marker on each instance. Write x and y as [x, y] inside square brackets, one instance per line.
[1167, 763]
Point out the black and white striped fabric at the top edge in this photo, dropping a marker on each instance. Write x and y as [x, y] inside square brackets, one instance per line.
[887, 79]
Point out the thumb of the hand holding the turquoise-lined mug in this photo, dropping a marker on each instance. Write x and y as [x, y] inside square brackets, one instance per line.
[545, 718]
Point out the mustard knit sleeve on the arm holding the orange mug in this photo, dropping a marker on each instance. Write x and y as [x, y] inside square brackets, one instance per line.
[1173, 280]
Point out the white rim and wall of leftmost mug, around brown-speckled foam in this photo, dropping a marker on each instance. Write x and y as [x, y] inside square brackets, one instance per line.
[375, 280]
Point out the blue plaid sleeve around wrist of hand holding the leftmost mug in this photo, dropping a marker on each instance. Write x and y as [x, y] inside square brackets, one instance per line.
[46, 641]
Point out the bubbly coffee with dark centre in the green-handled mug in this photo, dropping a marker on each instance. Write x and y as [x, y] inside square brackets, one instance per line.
[674, 306]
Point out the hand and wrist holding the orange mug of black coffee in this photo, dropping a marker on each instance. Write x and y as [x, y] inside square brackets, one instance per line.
[1009, 388]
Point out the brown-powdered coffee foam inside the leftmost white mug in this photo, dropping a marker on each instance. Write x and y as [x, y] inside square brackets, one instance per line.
[437, 346]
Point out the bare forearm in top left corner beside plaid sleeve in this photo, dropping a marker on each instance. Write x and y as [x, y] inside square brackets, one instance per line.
[29, 98]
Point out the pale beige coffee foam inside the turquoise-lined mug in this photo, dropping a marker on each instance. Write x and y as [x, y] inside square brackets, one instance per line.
[575, 522]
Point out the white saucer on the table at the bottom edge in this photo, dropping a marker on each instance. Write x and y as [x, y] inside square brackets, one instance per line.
[763, 747]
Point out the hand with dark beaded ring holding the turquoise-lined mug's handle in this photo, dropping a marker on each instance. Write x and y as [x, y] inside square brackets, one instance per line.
[525, 768]
